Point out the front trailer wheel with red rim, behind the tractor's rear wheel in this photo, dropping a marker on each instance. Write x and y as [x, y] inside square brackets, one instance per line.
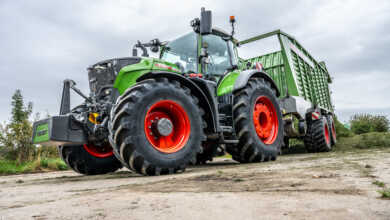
[318, 137]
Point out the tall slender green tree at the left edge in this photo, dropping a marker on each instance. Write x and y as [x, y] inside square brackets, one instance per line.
[16, 135]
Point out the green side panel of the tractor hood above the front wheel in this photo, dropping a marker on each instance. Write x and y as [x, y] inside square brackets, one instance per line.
[128, 75]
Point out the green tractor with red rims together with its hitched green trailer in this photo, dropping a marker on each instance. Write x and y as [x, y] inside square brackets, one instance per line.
[198, 100]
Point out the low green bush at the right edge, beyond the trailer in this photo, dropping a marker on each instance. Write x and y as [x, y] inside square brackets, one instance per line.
[365, 123]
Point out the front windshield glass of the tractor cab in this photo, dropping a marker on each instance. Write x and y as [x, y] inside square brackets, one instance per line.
[182, 52]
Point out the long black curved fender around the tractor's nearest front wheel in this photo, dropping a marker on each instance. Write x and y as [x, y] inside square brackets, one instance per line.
[205, 100]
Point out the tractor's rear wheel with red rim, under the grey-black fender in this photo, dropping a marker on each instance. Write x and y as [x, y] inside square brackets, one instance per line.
[258, 122]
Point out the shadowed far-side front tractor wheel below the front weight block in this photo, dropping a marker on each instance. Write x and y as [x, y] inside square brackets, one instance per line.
[88, 159]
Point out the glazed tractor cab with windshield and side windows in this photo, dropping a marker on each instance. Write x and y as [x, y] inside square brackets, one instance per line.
[215, 49]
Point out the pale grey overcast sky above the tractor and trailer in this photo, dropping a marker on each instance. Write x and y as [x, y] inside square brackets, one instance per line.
[44, 42]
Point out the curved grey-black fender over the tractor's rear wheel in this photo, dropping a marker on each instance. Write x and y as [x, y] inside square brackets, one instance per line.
[244, 76]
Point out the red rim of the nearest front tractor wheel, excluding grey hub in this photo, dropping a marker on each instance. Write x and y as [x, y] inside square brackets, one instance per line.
[180, 126]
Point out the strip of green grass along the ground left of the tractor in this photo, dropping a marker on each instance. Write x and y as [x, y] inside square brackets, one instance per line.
[39, 165]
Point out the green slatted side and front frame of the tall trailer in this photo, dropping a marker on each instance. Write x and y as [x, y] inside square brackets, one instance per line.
[294, 70]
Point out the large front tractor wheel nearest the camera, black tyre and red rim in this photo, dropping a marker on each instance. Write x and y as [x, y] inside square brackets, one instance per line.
[157, 127]
